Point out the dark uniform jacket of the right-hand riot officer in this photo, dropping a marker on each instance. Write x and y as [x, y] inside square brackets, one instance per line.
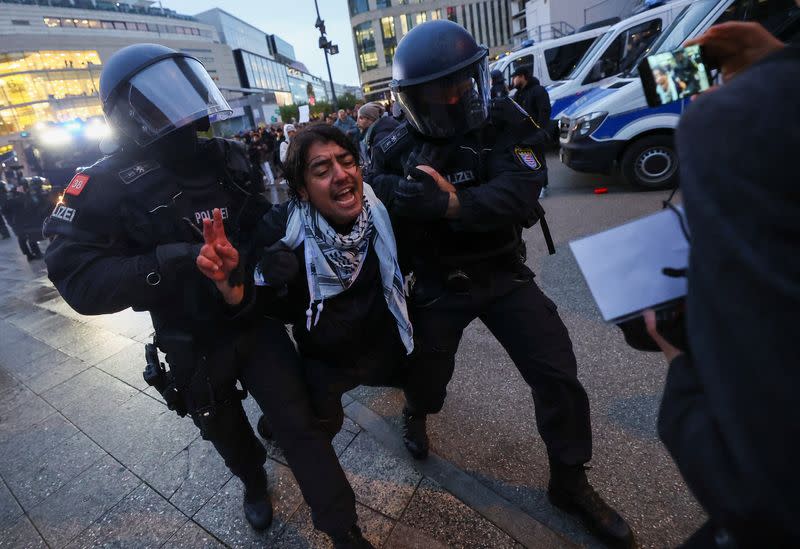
[497, 176]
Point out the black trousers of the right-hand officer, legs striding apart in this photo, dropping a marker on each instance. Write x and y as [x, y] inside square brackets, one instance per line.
[528, 326]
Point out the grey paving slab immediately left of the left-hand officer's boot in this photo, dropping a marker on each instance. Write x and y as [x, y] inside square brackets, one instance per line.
[190, 478]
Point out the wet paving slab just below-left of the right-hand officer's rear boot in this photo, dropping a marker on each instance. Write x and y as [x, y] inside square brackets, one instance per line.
[379, 479]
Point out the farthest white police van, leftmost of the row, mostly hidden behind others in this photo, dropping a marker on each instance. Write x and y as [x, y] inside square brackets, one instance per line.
[549, 60]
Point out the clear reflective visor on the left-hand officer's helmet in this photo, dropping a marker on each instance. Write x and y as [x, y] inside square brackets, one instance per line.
[166, 96]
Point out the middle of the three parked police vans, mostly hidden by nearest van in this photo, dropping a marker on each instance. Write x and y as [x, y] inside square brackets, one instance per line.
[613, 53]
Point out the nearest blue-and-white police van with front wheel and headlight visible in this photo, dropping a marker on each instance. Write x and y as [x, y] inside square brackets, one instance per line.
[612, 128]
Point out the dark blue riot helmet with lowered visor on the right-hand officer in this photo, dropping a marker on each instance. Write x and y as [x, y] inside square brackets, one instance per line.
[440, 78]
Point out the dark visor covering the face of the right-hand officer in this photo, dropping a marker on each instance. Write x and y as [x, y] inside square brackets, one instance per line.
[449, 105]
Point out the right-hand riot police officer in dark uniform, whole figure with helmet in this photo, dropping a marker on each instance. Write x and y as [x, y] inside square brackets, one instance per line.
[460, 184]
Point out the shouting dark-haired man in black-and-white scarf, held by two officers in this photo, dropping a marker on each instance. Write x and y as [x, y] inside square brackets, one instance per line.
[331, 271]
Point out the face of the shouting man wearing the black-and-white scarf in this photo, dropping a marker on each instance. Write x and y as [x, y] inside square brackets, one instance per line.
[333, 183]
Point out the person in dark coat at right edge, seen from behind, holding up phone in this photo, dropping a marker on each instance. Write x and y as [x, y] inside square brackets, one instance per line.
[729, 413]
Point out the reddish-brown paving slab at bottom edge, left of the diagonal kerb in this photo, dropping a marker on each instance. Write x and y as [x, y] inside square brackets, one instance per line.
[452, 523]
